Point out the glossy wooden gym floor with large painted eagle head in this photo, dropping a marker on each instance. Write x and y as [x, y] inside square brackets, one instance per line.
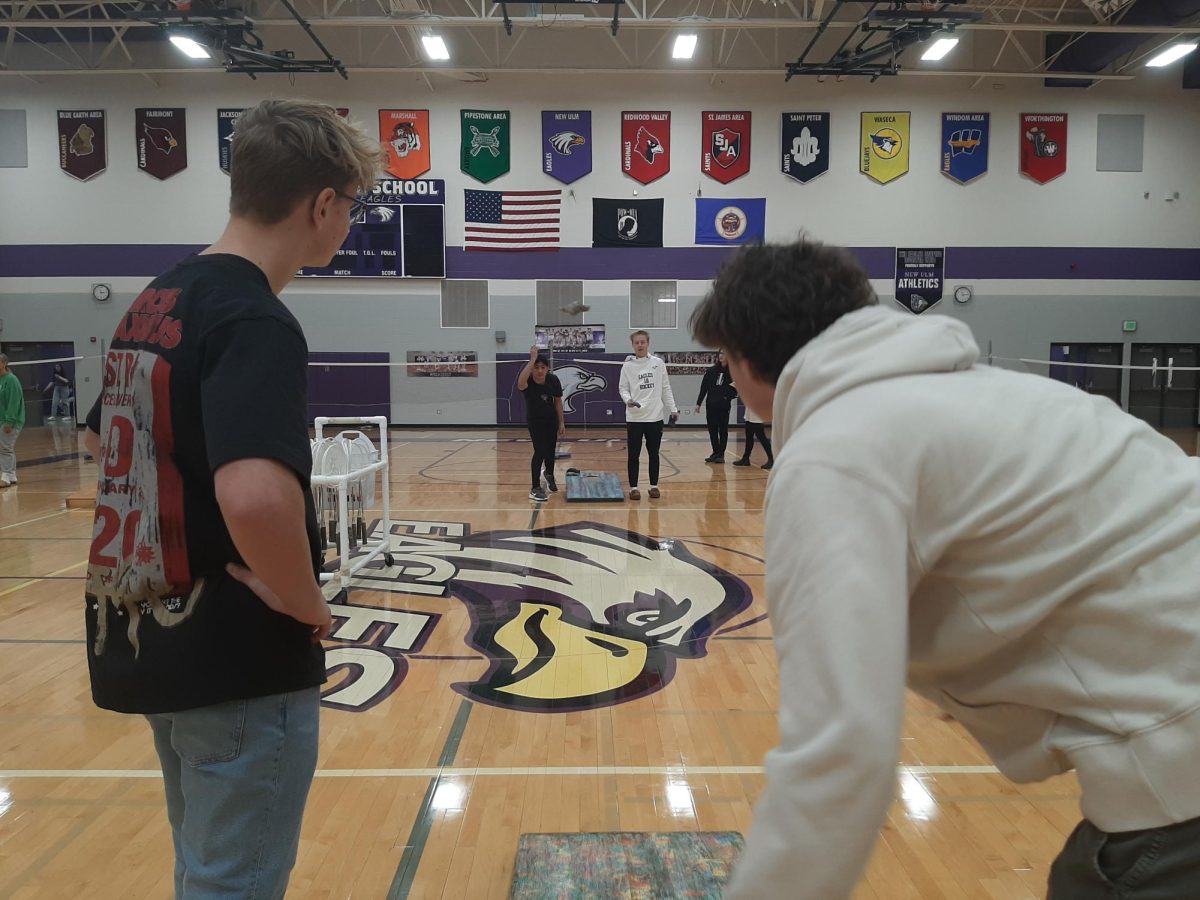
[445, 739]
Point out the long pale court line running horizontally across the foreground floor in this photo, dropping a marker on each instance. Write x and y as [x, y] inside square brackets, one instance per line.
[541, 771]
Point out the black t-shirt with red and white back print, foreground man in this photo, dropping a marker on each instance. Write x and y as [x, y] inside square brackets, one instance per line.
[207, 368]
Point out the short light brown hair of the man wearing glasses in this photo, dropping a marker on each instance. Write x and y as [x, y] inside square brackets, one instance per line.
[289, 151]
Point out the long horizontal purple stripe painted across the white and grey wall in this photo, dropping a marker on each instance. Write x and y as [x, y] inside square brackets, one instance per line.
[99, 261]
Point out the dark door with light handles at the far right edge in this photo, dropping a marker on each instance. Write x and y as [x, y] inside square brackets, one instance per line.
[1162, 394]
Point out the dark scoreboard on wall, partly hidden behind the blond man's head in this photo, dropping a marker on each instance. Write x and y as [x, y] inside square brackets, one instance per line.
[400, 235]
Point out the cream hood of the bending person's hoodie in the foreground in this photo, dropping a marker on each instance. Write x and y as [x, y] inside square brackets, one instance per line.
[862, 347]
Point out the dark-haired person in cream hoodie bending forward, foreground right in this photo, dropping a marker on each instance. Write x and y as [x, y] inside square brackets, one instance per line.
[1022, 554]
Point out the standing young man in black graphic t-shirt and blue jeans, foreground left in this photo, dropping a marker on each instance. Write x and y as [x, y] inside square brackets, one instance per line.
[203, 607]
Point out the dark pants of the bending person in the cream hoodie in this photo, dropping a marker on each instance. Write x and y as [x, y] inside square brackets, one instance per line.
[1155, 865]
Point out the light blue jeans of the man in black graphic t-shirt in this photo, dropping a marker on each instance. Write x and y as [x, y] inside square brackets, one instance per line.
[237, 777]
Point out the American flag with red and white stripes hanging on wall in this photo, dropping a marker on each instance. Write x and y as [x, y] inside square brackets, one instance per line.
[513, 220]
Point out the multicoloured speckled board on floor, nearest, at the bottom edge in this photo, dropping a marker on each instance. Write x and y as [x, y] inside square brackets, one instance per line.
[625, 865]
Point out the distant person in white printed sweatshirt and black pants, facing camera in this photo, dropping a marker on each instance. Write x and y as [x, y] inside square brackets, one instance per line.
[646, 391]
